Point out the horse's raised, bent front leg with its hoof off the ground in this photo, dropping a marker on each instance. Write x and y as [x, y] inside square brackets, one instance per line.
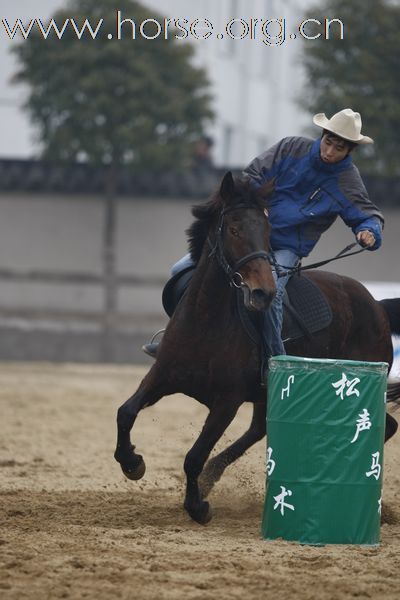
[132, 464]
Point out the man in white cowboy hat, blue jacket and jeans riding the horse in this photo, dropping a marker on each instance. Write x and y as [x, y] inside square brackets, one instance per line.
[314, 182]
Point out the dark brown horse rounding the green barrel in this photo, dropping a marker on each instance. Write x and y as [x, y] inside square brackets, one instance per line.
[206, 354]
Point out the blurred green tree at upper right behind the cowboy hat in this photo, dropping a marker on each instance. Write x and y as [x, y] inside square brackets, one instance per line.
[359, 72]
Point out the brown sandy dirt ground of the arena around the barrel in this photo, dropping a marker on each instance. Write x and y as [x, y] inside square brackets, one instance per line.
[72, 527]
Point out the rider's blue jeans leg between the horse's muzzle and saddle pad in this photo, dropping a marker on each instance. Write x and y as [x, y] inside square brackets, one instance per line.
[273, 317]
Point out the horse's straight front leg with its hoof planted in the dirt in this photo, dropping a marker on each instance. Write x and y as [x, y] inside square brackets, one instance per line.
[220, 416]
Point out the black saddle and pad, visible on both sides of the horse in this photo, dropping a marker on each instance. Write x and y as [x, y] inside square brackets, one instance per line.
[306, 309]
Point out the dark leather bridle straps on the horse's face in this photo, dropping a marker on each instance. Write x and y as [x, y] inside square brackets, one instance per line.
[217, 250]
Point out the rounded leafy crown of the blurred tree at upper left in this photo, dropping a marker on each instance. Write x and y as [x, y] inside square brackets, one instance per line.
[105, 101]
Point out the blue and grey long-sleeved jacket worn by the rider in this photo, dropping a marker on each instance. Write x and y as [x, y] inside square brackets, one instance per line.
[309, 194]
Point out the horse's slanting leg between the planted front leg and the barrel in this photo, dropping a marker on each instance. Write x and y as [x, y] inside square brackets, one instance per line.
[216, 466]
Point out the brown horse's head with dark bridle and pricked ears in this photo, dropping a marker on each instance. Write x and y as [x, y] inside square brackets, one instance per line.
[241, 240]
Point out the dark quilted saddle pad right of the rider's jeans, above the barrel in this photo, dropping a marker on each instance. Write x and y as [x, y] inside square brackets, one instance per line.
[309, 303]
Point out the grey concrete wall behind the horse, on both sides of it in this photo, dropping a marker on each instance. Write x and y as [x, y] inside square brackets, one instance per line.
[63, 234]
